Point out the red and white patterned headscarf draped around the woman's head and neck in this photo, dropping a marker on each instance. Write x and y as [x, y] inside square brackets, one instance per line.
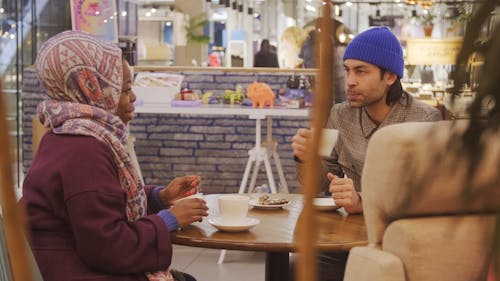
[83, 79]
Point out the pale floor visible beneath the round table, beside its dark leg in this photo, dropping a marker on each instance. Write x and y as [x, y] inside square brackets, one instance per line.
[202, 264]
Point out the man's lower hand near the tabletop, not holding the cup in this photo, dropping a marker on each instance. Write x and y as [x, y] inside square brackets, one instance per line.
[344, 194]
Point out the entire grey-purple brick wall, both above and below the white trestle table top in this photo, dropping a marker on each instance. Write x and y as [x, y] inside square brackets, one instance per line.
[214, 147]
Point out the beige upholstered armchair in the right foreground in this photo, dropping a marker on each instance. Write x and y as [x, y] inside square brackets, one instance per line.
[421, 222]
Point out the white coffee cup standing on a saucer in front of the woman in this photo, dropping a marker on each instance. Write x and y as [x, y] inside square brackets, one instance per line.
[233, 208]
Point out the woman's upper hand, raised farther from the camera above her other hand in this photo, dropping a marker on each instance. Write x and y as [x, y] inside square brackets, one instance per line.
[179, 188]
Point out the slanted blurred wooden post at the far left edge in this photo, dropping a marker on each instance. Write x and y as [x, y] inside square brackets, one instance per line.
[12, 212]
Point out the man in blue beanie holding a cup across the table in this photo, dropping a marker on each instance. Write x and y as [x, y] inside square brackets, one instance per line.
[374, 65]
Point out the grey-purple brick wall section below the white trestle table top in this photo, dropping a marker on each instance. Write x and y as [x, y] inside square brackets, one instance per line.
[212, 146]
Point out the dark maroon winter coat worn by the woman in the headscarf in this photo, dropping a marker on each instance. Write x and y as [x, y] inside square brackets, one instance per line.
[76, 214]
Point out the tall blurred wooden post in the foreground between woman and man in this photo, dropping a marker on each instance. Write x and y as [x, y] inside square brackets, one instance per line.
[323, 96]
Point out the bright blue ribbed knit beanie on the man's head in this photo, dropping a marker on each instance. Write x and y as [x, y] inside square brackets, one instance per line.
[378, 46]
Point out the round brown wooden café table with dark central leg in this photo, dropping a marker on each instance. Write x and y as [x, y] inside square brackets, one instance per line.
[276, 234]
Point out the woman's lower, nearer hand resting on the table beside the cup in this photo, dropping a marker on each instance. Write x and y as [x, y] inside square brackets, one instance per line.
[189, 210]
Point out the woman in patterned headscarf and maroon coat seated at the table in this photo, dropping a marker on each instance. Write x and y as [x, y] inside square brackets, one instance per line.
[90, 217]
